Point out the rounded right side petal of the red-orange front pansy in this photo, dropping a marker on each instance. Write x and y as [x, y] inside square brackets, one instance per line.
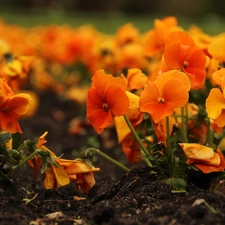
[117, 100]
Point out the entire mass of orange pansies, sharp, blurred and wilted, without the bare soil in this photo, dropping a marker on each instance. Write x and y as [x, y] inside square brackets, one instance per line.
[163, 91]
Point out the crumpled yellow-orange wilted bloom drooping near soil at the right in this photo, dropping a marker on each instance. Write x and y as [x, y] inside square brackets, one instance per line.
[203, 157]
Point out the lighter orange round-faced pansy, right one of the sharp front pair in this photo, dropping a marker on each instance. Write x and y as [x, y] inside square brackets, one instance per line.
[161, 97]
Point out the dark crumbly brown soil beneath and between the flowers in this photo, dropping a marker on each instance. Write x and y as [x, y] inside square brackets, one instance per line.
[117, 198]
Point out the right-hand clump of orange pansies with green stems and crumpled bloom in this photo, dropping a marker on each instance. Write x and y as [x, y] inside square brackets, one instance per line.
[169, 110]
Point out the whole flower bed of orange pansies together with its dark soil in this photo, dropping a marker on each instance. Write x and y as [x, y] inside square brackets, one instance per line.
[151, 104]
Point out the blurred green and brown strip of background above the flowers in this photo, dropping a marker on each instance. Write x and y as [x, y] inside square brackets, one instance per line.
[107, 16]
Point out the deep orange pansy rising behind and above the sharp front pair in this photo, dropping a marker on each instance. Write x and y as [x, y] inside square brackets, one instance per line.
[181, 53]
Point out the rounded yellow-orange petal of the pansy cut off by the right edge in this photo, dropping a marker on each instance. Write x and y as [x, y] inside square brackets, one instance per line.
[215, 103]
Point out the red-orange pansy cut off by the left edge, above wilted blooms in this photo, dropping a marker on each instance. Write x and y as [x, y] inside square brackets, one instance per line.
[12, 106]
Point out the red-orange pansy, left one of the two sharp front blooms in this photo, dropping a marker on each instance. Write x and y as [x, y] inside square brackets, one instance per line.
[106, 99]
